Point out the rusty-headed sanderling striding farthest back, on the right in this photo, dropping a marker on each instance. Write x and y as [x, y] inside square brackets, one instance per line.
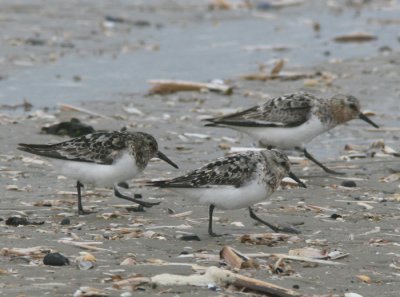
[292, 120]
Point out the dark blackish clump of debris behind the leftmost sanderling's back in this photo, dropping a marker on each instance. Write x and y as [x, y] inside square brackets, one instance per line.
[73, 128]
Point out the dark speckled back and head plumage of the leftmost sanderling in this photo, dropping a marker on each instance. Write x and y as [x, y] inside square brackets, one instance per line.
[99, 147]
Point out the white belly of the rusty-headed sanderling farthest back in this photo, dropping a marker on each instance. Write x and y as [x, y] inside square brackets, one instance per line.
[286, 138]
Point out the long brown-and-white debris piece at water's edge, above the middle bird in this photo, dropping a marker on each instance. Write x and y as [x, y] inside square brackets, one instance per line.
[164, 86]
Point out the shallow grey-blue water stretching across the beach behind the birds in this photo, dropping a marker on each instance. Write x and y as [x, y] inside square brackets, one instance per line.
[209, 47]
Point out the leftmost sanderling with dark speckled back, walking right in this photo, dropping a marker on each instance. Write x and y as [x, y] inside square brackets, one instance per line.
[102, 159]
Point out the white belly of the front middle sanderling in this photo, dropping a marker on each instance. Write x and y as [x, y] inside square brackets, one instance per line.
[228, 197]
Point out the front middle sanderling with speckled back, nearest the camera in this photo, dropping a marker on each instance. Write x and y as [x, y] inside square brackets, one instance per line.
[236, 181]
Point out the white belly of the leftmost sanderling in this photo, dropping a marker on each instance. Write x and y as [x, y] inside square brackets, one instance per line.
[122, 169]
